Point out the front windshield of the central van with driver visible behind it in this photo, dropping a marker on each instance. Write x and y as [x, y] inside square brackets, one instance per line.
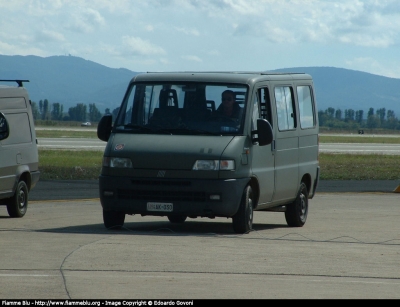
[183, 108]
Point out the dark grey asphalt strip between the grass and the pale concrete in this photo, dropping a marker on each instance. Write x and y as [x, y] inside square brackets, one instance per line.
[88, 189]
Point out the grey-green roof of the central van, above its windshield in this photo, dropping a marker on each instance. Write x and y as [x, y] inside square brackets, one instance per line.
[220, 76]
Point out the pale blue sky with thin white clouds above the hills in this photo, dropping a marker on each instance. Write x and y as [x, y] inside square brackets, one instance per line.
[208, 35]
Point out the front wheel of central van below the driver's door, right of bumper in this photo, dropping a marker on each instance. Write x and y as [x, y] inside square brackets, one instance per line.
[243, 219]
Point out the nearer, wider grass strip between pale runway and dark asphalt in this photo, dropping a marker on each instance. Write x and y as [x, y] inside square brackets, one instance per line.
[68, 165]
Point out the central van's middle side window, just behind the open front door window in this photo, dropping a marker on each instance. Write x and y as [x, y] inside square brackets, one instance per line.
[284, 108]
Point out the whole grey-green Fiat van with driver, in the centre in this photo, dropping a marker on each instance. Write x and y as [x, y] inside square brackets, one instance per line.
[211, 144]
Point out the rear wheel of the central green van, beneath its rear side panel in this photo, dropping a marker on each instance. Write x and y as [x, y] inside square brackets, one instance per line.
[296, 212]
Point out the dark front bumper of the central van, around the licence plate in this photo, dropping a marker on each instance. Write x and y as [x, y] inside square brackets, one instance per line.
[204, 198]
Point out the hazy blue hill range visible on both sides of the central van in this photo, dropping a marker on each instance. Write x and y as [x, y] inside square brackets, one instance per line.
[70, 80]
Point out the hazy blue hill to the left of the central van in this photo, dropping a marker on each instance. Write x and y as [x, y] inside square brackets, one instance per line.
[68, 80]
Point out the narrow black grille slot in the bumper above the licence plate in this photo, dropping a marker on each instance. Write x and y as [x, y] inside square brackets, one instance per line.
[162, 196]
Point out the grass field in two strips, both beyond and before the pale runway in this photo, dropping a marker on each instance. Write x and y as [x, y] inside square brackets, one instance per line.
[64, 164]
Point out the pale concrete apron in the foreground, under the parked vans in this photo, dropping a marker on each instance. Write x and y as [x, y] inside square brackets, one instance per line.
[348, 249]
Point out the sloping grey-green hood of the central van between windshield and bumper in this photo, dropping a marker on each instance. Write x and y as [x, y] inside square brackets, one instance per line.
[169, 152]
